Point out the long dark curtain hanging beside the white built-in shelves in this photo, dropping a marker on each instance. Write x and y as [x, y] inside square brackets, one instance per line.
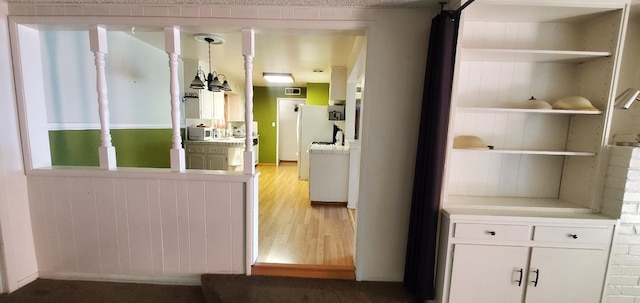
[427, 185]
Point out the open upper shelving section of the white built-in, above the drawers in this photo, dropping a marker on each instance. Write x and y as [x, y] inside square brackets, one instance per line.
[508, 52]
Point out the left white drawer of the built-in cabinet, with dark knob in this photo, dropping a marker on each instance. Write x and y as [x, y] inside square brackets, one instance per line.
[492, 232]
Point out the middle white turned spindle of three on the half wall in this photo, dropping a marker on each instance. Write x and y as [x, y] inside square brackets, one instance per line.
[172, 46]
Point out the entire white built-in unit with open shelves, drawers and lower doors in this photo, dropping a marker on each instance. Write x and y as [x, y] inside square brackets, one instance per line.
[512, 211]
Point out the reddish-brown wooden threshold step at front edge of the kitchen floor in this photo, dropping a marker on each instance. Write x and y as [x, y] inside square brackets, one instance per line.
[338, 272]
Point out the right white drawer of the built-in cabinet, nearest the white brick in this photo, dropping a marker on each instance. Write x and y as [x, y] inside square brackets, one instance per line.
[577, 235]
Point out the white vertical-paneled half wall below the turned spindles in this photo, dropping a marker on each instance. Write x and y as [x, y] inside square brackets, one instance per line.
[137, 229]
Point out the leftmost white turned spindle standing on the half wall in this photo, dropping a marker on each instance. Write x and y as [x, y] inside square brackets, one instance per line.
[107, 153]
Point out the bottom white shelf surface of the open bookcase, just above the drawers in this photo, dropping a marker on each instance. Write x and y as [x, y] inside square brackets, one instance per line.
[514, 203]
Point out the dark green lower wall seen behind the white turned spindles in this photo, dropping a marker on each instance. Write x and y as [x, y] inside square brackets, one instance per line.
[134, 147]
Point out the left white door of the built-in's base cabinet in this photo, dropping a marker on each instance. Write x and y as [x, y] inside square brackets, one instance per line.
[488, 274]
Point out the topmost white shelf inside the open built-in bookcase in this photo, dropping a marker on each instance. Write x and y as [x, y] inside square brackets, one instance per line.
[529, 55]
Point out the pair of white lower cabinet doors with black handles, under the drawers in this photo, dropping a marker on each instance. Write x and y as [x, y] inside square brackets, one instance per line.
[495, 274]
